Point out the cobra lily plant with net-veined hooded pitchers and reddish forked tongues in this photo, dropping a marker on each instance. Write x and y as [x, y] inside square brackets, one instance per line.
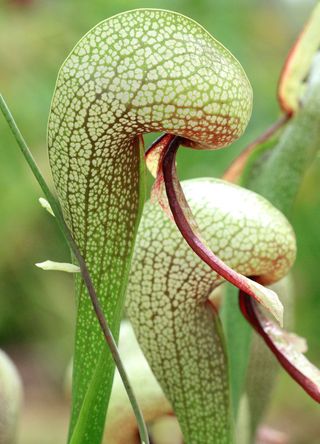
[151, 70]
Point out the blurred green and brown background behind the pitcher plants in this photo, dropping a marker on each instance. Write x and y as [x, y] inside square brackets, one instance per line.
[37, 308]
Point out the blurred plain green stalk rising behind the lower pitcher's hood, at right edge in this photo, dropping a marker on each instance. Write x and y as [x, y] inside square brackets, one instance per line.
[281, 175]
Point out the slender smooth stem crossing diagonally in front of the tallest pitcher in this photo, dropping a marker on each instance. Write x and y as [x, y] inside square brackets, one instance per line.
[83, 267]
